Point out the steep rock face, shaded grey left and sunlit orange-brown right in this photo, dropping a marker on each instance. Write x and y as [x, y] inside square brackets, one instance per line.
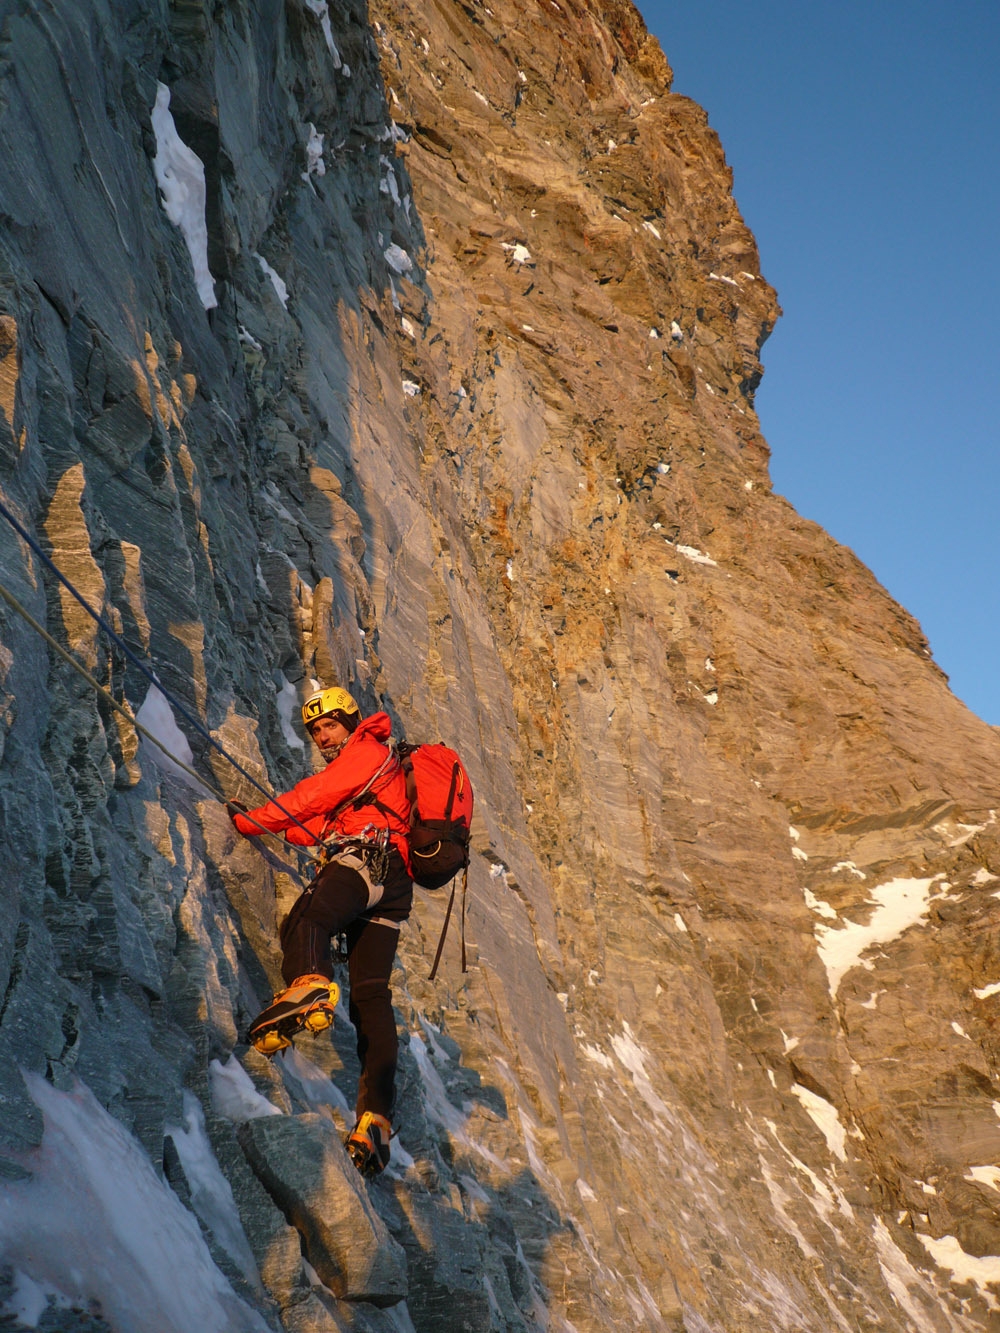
[415, 350]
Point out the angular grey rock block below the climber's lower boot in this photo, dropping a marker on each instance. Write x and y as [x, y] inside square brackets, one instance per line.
[303, 1166]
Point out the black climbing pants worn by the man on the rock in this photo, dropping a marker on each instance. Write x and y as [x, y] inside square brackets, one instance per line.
[335, 903]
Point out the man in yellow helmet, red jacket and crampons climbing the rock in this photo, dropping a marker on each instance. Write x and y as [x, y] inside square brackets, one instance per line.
[359, 811]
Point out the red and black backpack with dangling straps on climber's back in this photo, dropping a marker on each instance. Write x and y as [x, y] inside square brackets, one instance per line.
[441, 795]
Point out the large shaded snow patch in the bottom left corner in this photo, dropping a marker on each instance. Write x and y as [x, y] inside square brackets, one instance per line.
[97, 1224]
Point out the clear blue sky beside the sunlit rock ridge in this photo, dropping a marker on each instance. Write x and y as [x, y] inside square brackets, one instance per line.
[865, 141]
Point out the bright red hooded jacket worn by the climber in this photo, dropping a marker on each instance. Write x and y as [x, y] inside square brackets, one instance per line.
[314, 800]
